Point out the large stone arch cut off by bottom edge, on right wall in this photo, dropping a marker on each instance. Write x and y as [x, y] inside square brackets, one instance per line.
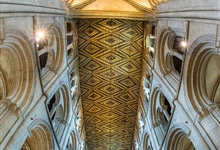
[178, 138]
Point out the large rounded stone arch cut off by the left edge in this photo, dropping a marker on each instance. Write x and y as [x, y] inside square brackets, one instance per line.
[17, 71]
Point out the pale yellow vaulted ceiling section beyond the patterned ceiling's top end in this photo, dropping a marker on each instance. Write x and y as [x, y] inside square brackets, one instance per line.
[130, 9]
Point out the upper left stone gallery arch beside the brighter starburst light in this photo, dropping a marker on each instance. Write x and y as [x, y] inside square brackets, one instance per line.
[51, 49]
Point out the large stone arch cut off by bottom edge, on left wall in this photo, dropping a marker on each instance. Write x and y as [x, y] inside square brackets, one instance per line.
[40, 137]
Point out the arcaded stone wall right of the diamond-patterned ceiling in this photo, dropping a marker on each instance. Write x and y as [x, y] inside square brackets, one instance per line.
[182, 111]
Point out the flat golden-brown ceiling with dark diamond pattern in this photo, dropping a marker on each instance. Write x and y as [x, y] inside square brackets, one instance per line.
[110, 52]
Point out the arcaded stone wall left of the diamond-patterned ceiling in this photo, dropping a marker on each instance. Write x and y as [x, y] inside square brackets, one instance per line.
[38, 110]
